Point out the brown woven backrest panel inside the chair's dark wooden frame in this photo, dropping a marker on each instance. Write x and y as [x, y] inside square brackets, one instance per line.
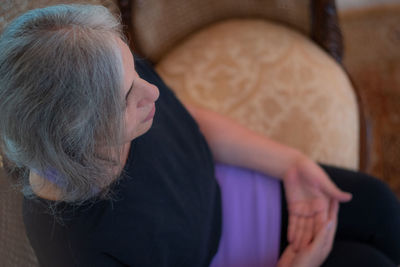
[160, 24]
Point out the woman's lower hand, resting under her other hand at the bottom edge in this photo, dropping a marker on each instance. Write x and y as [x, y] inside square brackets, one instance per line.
[314, 254]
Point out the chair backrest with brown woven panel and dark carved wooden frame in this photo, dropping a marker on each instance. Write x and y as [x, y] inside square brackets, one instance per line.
[157, 25]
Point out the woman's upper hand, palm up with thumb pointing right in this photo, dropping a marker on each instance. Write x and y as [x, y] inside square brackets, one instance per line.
[309, 192]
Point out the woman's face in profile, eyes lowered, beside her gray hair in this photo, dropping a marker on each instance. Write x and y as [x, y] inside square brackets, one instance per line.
[140, 98]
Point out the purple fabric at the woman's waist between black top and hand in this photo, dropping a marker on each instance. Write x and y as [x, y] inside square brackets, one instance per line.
[251, 209]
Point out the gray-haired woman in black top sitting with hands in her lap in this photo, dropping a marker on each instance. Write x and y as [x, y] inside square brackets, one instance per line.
[120, 173]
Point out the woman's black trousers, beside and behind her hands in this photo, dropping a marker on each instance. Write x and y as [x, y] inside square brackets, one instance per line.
[368, 232]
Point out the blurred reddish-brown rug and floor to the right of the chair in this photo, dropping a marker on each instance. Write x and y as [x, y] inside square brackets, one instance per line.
[371, 31]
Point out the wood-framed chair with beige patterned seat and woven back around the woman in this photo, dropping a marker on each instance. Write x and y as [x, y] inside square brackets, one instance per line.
[272, 65]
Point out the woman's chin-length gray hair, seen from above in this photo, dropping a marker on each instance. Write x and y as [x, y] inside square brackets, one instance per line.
[61, 79]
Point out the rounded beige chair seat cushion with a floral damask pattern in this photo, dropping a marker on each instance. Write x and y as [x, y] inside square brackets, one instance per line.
[272, 80]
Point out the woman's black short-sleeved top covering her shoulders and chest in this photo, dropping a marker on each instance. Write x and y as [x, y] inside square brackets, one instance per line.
[166, 209]
